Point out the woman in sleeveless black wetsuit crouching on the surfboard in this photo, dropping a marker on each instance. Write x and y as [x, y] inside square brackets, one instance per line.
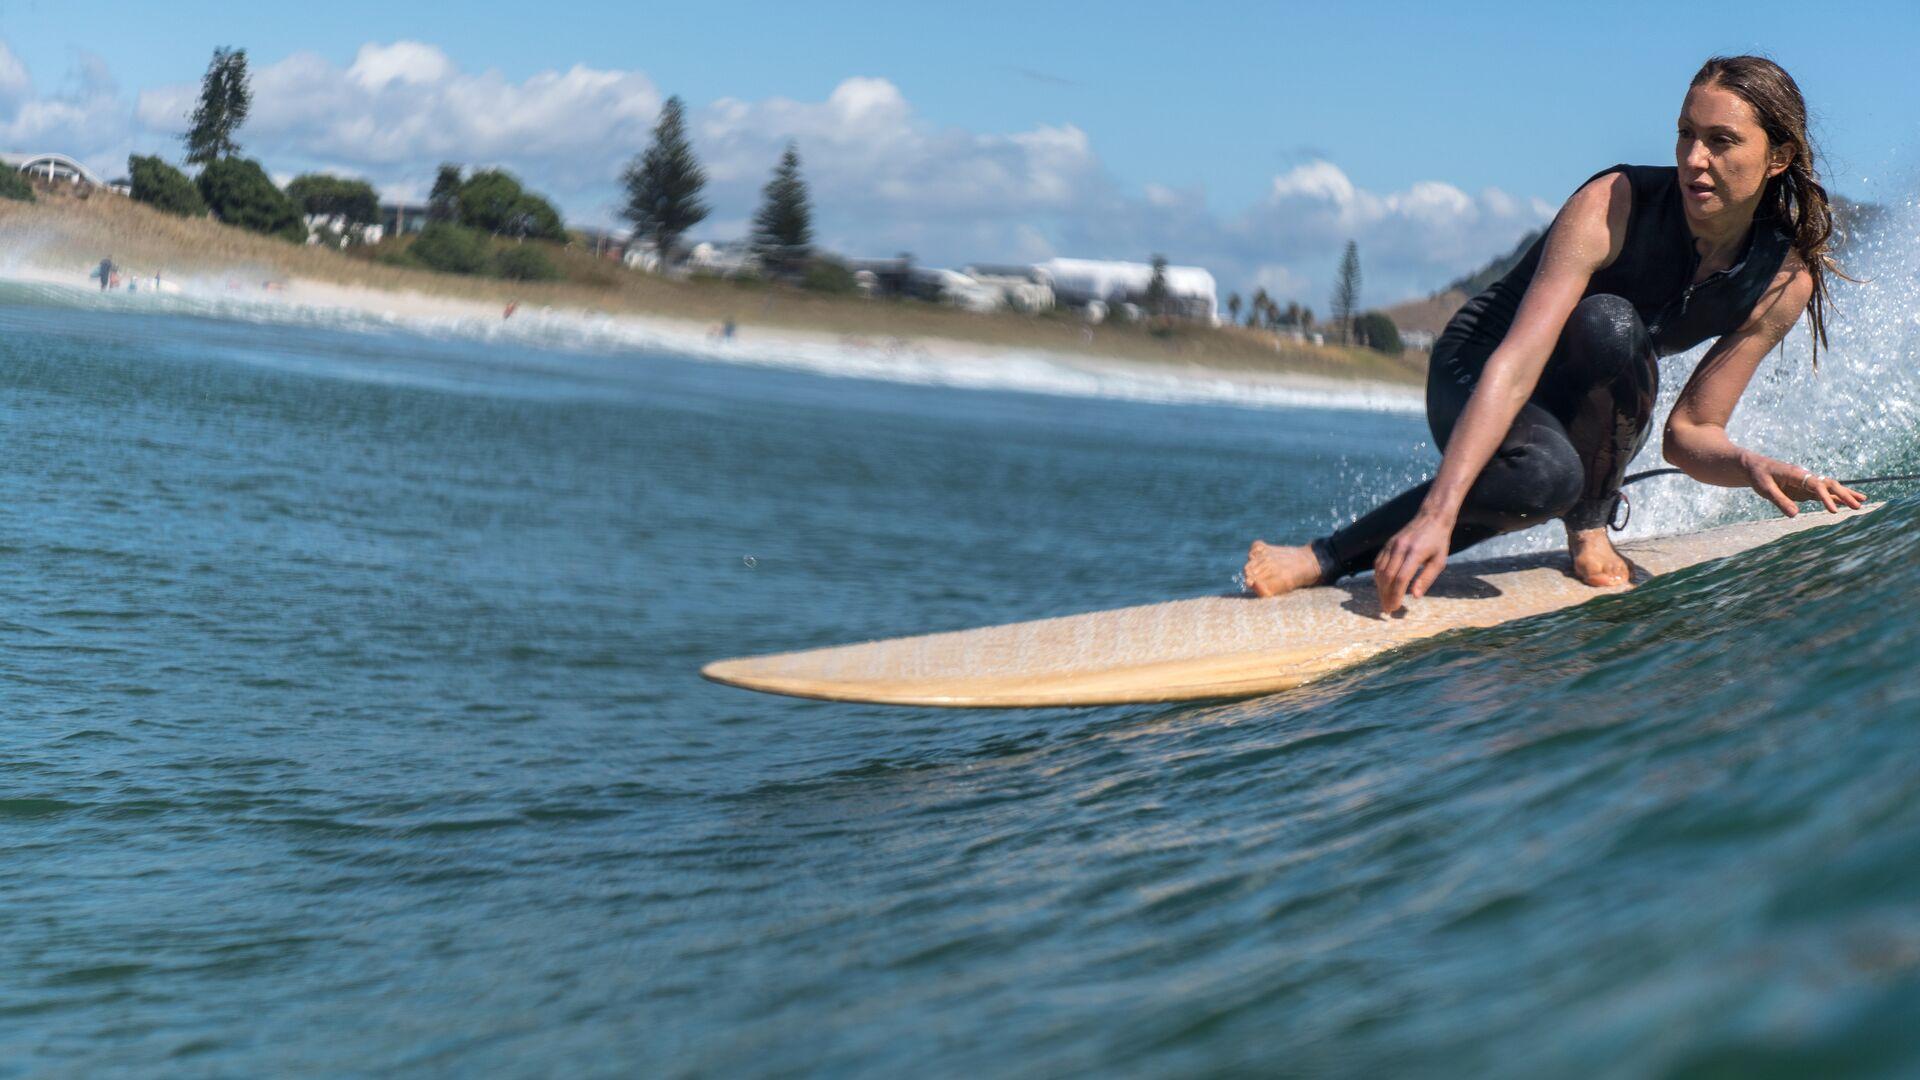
[1543, 389]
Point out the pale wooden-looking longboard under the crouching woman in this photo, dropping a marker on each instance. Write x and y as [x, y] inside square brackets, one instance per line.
[1212, 647]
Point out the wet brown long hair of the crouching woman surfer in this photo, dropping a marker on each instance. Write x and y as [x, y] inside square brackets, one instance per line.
[1794, 199]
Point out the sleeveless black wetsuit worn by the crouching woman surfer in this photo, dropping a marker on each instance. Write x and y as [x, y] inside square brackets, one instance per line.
[1591, 412]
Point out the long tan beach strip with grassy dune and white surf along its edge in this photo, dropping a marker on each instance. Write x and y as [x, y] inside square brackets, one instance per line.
[214, 270]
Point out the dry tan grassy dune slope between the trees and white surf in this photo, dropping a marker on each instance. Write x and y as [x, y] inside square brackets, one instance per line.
[62, 232]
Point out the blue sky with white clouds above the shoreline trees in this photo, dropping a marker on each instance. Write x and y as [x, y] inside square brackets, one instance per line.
[1253, 141]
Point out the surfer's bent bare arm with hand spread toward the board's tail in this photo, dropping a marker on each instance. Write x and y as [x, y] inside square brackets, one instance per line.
[1696, 433]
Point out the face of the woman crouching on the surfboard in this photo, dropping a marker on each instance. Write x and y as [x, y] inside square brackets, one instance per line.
[1723, 155]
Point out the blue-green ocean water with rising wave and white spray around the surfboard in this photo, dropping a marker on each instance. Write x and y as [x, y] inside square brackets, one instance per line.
[354, 727]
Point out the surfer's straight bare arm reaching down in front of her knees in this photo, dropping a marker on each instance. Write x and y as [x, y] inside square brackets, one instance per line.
[1587, 237]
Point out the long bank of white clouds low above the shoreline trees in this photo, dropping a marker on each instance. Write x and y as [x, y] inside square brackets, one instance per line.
[884, 178]
